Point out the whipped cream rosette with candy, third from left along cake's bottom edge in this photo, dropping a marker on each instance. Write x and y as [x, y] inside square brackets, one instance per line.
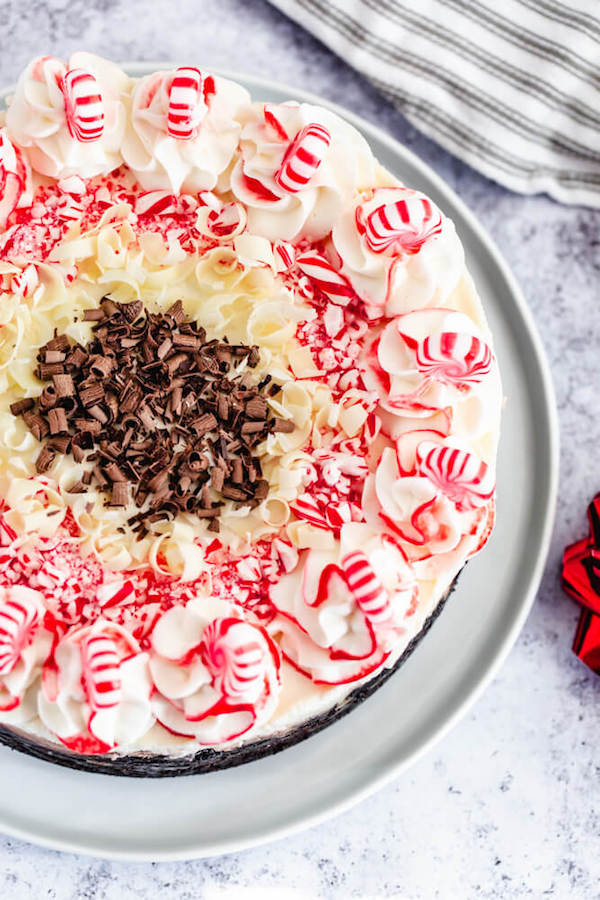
[216, 675]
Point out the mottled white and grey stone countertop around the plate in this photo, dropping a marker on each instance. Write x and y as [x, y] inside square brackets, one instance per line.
[507, 805]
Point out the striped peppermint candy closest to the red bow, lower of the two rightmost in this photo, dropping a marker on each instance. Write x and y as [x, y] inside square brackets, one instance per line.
[461, 476]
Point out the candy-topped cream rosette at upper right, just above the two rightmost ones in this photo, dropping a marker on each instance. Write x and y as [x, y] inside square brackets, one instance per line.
[398, 250]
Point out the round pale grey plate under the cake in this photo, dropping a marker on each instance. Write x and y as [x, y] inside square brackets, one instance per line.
[225, 811]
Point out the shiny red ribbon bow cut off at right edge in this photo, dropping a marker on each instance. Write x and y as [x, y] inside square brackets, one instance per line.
[581, 580]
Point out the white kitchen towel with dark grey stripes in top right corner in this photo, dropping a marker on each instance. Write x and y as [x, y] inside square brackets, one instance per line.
[511, 87]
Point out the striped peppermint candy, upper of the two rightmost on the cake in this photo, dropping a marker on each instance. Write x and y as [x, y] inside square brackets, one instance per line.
[455, 357]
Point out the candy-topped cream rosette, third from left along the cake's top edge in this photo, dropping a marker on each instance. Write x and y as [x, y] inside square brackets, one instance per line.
[299, 166]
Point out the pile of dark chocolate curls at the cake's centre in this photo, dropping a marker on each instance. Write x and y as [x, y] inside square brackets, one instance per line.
[156, 414]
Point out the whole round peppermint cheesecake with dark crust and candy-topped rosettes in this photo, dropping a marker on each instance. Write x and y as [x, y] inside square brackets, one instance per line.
[249, 413]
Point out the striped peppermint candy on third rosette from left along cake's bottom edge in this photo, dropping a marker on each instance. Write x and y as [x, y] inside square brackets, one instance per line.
[234, 654]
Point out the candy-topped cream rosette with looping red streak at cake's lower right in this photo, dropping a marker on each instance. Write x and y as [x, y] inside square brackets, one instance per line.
[341, 612]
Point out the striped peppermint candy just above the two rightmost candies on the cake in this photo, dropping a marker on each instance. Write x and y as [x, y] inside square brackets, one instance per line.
[404, 225]
